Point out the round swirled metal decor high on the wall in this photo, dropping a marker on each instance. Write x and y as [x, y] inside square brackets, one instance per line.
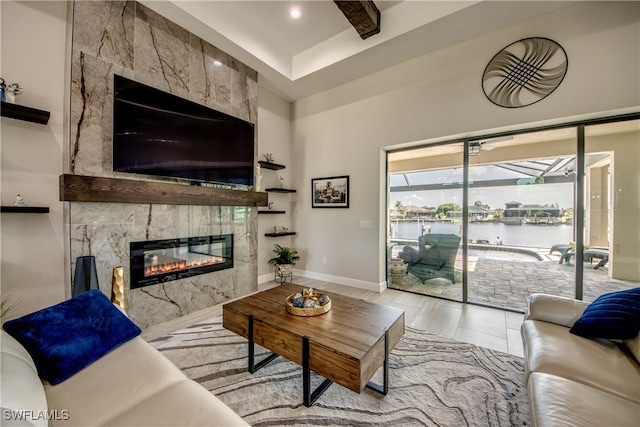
[524, 72]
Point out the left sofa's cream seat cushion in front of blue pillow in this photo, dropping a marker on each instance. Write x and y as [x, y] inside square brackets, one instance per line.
[136, 385]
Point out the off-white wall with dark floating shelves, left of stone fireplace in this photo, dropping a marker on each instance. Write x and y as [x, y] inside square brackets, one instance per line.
[32, 247]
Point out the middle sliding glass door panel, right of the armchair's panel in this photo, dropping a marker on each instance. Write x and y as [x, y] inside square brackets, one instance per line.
[521, 217]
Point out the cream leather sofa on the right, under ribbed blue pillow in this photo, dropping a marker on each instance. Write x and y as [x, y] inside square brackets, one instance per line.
[577, 381]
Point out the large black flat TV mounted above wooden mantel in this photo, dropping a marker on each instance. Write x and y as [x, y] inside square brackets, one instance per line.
[157, 133]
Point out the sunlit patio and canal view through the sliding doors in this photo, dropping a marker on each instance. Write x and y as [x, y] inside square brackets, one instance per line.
[520, 217]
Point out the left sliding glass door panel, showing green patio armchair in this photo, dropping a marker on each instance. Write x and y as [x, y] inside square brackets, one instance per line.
[425, 241]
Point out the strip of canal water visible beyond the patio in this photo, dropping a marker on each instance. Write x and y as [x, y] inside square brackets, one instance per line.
[533, 236]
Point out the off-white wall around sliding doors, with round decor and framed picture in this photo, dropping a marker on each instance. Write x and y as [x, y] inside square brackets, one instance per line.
[343, 131]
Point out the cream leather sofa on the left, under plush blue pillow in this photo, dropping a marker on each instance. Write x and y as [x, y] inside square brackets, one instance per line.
[131, 385]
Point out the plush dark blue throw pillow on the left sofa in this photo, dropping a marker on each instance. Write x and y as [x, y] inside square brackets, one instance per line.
[67, 337]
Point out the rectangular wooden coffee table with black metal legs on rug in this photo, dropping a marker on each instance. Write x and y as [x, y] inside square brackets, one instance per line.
[346, 345]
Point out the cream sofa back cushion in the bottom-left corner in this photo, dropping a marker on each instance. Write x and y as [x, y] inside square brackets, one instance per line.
[21, 388]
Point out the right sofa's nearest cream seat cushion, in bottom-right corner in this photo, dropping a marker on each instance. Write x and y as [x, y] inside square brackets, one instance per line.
[555, 401]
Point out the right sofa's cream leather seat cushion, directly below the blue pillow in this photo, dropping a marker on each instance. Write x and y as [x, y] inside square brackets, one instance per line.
[552, 349]
